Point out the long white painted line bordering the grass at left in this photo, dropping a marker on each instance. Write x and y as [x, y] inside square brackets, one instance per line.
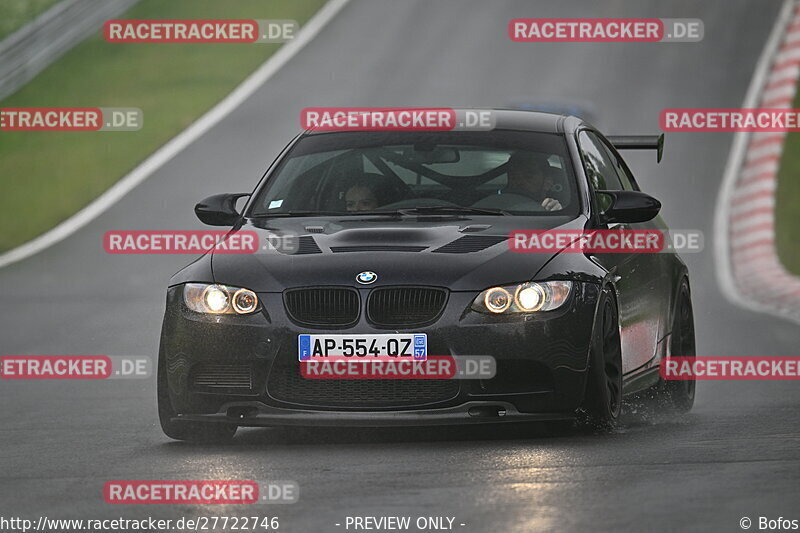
[175, 145]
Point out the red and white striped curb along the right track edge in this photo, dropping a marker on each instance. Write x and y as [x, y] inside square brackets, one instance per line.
[750, 272]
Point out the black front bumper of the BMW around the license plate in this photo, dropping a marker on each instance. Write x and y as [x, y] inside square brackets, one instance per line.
[541, 364]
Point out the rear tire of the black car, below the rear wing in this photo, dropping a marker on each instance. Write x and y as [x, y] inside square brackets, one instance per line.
[679, 394]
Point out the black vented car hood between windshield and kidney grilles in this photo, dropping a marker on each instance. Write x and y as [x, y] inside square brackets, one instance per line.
[461, 253]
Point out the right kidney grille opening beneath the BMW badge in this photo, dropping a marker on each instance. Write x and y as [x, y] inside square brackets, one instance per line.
[405, 306]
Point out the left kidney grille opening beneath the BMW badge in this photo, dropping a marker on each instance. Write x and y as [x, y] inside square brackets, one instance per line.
[322, 306]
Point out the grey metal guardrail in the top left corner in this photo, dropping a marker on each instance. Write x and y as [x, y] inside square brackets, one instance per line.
[29, 50]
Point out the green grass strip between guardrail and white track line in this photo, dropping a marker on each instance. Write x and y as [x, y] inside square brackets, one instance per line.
[173, 84]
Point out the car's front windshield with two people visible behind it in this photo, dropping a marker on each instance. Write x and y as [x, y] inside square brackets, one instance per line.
[477, 173]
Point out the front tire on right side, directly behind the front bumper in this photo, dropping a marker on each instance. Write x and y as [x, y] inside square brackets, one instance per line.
[603, 398]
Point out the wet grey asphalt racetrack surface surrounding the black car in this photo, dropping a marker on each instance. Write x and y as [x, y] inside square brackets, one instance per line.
[737, 454]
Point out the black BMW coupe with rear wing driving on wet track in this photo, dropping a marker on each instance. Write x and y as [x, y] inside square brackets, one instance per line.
[400, 235]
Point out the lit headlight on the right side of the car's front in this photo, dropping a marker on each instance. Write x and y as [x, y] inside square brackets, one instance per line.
[523, 298]
